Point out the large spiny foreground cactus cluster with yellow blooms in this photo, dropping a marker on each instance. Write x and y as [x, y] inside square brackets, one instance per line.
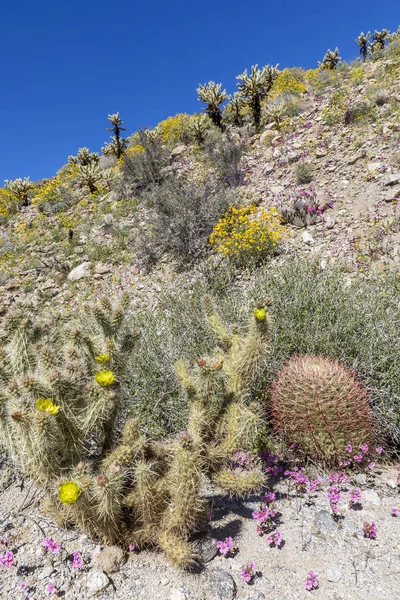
[61, 395]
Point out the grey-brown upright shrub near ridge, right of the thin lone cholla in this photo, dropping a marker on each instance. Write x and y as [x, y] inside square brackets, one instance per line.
[142, 168]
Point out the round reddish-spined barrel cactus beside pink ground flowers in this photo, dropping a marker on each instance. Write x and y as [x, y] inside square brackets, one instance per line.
[319, 404]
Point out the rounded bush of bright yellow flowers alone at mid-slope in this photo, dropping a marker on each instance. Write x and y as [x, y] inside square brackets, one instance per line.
[247, 233]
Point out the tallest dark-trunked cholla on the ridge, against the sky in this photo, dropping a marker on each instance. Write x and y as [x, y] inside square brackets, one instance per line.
[255, 87]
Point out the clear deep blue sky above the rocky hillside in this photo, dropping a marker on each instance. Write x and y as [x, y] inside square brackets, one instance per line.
[66, 65]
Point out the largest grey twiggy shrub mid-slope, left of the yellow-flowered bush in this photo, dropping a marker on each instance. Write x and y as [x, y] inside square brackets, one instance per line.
[182, 217]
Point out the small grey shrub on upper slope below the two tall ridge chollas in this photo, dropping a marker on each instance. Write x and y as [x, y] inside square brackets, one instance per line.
[225, 153]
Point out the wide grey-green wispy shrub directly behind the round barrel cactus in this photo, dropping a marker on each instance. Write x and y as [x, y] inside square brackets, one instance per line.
[314, 312]
